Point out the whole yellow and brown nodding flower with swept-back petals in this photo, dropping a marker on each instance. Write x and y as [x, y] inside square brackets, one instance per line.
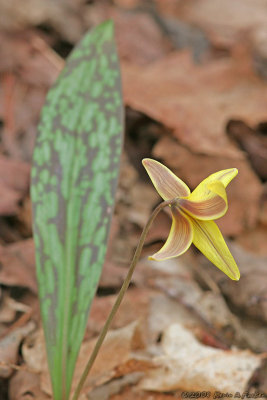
[193, 215]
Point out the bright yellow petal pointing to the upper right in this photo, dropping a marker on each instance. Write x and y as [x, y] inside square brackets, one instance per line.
[203, 189]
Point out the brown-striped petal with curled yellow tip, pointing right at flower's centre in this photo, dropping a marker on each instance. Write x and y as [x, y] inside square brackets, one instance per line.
[213, 205]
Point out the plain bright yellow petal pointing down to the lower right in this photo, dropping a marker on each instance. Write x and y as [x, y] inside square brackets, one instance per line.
[209, 240]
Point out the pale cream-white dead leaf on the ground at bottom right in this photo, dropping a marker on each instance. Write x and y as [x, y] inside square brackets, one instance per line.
[188, 365]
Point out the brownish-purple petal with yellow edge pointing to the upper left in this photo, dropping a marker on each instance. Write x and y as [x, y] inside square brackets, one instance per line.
[167, 184]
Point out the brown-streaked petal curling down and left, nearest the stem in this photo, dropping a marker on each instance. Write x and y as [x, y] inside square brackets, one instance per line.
[179, 240]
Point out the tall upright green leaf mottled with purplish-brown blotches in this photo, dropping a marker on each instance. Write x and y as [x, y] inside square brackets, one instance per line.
[74, 178]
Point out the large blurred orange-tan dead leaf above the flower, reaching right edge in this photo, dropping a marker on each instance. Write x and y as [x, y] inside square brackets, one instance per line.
[219, 90]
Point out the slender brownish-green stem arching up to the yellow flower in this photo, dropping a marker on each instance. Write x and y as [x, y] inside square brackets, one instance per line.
[120, 296]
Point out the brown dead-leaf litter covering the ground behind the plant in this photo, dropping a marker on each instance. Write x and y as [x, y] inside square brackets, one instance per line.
[182, 326]
